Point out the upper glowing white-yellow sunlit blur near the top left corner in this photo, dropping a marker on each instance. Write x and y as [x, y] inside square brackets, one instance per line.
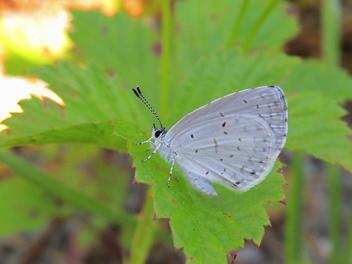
[37, 35]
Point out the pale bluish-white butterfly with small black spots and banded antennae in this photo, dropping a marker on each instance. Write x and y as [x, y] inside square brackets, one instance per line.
[233, 141]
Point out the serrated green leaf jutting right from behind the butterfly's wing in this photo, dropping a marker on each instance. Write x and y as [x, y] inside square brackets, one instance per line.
[315, 128]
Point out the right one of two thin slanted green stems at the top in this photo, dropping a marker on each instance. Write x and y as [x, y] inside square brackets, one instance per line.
[257, 25]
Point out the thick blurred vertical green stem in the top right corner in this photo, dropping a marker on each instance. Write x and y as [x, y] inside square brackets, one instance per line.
[331, 30]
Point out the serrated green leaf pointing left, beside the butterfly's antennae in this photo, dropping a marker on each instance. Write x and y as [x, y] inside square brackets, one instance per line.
[86, 116]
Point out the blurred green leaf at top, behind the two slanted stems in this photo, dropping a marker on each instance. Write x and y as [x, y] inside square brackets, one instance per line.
[212, 21]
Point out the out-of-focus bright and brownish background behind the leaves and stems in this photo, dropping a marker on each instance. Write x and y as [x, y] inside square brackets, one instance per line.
[34, 33]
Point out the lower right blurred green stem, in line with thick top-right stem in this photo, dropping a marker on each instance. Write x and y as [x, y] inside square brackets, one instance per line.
[335, 208]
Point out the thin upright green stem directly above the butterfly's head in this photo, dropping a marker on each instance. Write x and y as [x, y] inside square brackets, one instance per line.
[165, 56]
